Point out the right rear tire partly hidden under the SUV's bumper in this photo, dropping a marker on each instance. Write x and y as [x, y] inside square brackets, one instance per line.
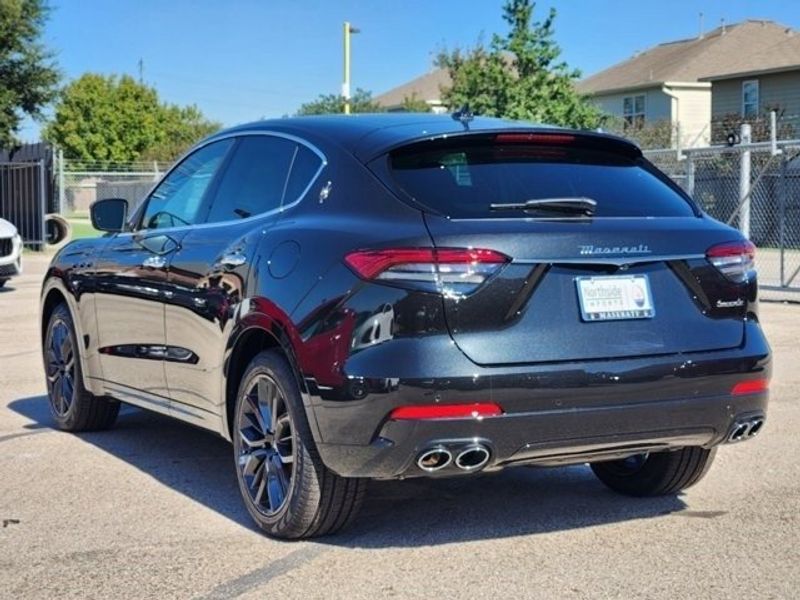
[656, 474]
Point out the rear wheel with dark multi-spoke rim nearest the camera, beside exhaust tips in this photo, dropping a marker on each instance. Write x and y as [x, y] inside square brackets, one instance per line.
[284, 484]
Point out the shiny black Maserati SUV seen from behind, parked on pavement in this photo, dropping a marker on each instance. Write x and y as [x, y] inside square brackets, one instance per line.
[392, 296]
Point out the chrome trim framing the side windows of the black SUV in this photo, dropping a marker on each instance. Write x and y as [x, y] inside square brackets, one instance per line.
[137, 216]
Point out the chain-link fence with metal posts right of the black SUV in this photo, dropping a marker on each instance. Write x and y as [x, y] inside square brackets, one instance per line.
[754, 187]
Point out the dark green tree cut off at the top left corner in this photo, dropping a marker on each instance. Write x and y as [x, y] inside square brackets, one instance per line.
[28, 77]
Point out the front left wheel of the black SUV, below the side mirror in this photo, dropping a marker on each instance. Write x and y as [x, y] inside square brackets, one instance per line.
[73, 407]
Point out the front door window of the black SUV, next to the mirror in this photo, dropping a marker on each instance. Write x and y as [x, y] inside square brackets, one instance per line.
[179, 197]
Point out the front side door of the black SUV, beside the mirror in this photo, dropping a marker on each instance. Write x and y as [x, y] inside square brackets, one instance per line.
[131, 279]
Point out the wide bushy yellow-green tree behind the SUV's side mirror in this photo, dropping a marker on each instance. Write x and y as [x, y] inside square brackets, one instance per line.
[103, 119]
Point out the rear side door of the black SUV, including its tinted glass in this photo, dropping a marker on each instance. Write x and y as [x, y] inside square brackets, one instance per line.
[209, 273]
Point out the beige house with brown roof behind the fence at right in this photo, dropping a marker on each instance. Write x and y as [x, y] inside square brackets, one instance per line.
[744, 69]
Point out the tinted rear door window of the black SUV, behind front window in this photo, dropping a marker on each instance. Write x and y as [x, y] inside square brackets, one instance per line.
[255, 179]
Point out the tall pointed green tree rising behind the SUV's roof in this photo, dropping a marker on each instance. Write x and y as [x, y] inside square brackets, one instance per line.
[519, 75]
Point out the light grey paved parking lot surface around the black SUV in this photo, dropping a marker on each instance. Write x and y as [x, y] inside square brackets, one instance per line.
[151, 510]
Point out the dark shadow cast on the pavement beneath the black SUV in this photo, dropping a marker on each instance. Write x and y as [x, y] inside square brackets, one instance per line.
[417, 512]
